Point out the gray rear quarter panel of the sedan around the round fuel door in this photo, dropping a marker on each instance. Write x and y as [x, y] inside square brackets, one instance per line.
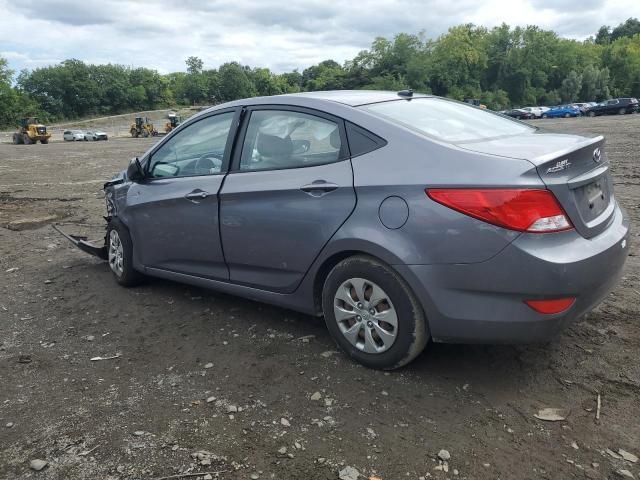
[433, 233]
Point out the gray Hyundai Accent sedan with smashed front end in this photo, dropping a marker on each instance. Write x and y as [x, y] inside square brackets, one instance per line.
[399, 217]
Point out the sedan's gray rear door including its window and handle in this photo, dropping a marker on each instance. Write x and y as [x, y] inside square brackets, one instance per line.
[290, 189]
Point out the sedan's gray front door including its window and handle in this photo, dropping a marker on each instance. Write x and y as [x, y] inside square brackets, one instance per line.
[174, 211]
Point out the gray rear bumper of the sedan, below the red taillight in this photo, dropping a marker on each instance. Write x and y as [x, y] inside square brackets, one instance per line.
[484, 302]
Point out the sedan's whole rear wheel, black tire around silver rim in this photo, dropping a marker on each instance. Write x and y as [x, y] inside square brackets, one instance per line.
[373, 278]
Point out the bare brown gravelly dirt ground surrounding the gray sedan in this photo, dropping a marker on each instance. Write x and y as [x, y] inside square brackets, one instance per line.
[200, 371]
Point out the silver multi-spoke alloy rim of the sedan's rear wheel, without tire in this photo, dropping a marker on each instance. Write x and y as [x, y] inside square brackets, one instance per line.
[365, 315]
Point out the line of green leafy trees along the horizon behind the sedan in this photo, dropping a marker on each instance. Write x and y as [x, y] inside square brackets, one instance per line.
[502, 67]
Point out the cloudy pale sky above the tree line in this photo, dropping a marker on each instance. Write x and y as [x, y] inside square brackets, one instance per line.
[281, 35]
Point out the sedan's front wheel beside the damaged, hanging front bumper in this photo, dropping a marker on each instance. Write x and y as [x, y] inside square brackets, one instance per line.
[120, 254]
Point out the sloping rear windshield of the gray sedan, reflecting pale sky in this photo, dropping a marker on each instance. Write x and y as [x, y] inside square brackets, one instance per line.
[447, 120]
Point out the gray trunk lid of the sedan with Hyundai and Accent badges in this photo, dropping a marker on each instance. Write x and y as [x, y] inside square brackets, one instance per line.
[574, 168]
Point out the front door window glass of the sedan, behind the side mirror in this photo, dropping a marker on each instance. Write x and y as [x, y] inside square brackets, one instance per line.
[196, 150]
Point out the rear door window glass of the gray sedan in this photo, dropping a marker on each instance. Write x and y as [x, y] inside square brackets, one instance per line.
[280, 139]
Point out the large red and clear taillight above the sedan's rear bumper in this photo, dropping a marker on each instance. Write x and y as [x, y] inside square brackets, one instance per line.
[524, 210]
